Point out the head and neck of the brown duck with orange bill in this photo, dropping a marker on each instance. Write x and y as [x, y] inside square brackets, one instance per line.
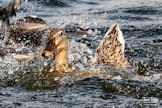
[57, 46]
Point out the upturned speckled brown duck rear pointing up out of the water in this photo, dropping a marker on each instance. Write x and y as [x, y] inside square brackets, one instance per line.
[111, 49]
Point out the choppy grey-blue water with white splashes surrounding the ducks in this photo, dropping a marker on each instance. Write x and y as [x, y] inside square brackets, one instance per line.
[23, 85]
